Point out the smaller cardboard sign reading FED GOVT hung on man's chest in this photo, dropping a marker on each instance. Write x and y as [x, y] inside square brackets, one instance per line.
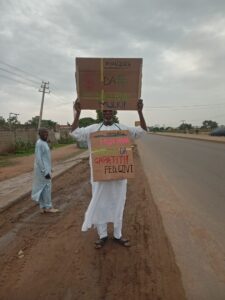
[111, 154]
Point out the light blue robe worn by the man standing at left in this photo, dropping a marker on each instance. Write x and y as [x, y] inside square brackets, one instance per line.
[42, 167]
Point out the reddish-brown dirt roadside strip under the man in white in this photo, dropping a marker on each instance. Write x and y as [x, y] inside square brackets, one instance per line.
[58, 261]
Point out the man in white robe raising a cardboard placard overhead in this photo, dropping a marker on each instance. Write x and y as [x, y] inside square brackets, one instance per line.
[108, 196]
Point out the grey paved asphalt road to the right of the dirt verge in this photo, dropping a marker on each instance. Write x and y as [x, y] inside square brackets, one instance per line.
[187, 179]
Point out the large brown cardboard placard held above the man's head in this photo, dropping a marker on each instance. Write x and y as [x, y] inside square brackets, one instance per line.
[108, 83]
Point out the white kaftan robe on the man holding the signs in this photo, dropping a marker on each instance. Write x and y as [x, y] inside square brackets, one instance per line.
[108, 197]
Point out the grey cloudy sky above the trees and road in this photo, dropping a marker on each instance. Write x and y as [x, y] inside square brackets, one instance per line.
[182, 44]
